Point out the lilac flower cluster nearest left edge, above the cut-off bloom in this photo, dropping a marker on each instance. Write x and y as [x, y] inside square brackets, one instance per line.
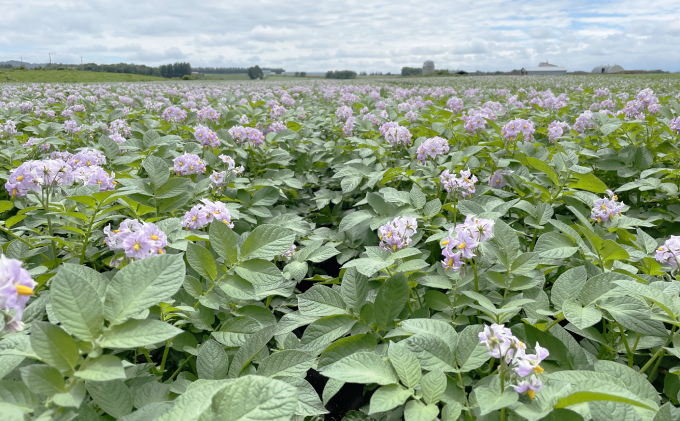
[33, 175]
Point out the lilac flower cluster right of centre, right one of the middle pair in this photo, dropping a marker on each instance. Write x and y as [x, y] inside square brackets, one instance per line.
[463, 239]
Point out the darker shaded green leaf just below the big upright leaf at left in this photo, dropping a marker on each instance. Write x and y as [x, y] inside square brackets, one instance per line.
[54, 346]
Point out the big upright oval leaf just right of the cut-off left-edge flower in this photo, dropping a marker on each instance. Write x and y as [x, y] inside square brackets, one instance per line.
[76, 301]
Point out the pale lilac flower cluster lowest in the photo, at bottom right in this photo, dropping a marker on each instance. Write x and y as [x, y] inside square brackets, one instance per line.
[503, 345]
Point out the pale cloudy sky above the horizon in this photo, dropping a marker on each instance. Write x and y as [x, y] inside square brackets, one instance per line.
[304, 35]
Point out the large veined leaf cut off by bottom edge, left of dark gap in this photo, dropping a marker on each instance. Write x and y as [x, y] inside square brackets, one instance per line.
[253, 398]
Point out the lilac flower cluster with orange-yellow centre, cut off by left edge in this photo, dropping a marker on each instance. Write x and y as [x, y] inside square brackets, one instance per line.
[16, 287]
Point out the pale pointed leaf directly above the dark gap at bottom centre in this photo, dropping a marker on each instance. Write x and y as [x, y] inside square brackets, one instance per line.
[364, 367]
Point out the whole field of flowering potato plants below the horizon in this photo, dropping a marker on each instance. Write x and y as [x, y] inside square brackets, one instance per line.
[473, 249]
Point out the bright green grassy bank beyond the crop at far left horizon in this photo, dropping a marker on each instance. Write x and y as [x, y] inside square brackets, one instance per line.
[70, 76]
